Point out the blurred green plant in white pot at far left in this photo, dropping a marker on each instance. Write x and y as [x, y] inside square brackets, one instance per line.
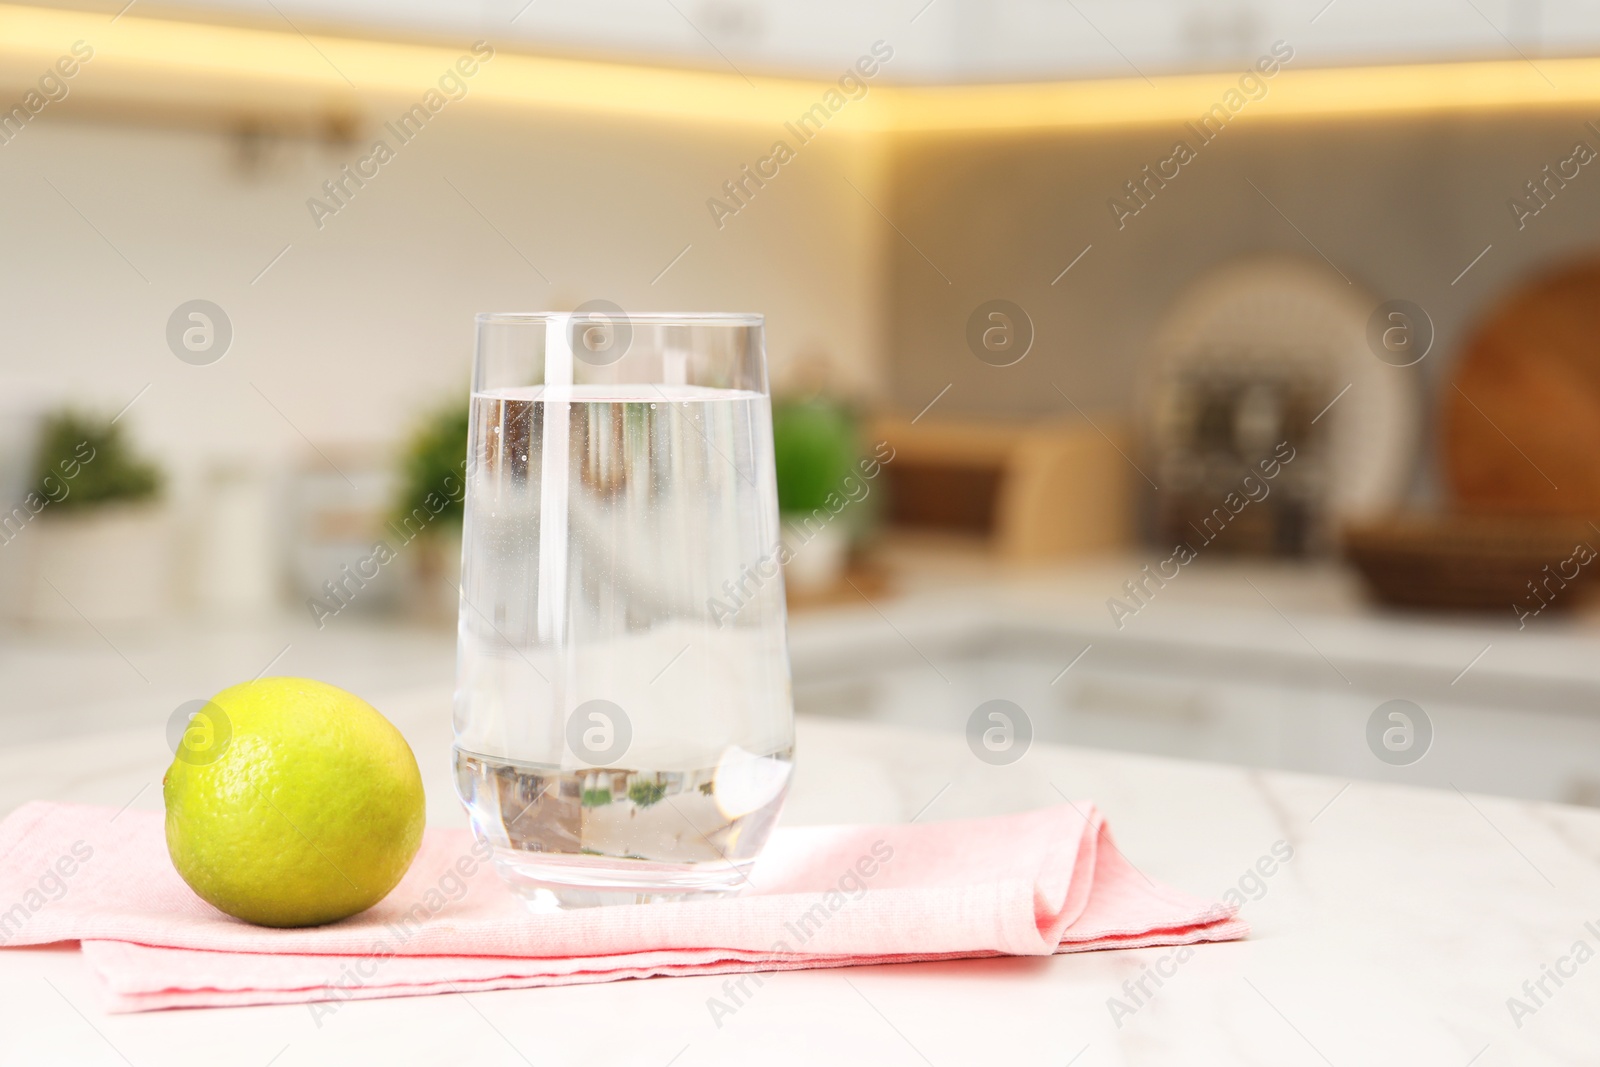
[92, 533]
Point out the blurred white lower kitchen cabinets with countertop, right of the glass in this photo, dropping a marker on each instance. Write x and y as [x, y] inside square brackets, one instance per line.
[1223, 687]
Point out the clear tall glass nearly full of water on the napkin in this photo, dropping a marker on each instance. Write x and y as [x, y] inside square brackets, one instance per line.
[625, 724]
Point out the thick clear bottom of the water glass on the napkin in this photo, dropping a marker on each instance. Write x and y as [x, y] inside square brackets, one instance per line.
[559, 882]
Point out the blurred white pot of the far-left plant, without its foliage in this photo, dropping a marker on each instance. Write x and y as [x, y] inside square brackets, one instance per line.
[110, 564]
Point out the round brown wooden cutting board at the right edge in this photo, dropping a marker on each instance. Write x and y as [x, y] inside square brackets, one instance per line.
[1522, 415]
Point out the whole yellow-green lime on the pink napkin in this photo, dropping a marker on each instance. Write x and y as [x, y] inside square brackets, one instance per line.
[292, 804]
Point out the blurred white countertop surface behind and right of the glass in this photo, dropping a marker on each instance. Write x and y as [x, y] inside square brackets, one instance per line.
[1310, 621]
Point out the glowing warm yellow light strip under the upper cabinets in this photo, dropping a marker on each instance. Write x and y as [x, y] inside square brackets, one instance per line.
[169, 63]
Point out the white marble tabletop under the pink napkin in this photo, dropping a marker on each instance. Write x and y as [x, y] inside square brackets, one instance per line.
[1396, 935]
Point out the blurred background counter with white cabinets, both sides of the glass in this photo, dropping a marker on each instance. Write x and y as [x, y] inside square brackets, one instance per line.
[1265, 665]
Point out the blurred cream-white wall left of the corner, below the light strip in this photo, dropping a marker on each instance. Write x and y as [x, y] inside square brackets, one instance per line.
[367, 322]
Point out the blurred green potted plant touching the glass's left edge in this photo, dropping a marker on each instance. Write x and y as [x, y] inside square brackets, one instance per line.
[430, 508]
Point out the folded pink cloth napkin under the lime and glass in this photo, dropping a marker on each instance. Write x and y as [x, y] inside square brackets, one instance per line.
[1031, 884]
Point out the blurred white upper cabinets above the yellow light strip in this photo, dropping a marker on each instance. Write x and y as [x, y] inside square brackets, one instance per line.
[969, 41]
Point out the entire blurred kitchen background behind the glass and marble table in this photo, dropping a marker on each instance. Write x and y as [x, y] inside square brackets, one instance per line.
[1198, 375]
